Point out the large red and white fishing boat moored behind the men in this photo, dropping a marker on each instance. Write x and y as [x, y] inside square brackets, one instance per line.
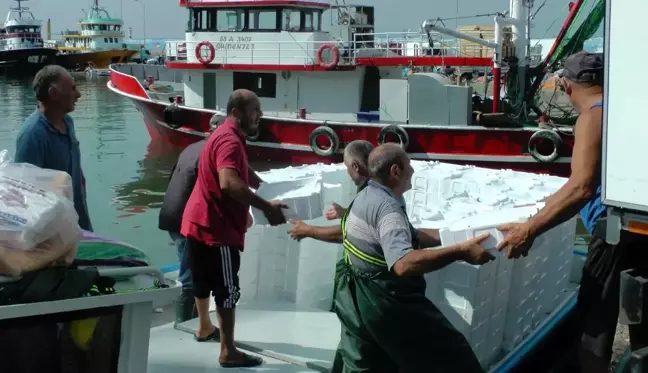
[319, 90]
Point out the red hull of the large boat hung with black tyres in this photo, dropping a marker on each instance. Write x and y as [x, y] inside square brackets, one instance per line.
[287, 138]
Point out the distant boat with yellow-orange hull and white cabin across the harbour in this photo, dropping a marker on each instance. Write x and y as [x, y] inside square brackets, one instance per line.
[98, 42]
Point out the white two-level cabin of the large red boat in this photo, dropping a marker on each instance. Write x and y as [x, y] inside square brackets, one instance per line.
[295, 61]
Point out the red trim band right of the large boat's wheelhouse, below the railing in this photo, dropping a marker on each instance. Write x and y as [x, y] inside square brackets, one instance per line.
[424, 61]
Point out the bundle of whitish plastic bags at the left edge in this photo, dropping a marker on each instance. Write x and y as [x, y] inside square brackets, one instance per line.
[38, 223]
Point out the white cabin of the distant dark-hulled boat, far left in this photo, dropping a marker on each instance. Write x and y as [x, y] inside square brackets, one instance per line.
[20, 30]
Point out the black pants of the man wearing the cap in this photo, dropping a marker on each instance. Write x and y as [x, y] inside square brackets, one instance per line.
[598, 298]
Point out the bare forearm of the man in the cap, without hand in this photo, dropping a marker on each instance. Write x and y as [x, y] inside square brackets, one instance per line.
[559, 208]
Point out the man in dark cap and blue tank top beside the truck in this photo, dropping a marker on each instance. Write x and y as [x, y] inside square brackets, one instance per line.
[598, 299]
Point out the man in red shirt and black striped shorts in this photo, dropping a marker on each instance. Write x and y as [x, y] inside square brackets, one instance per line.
[215, 220]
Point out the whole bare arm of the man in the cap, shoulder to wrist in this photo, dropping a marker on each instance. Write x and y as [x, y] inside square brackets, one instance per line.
[584, 179]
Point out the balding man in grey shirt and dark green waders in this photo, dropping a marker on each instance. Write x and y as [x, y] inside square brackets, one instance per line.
[388, 325]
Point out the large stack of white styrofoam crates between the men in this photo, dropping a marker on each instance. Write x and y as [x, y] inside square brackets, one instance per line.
[495, 305]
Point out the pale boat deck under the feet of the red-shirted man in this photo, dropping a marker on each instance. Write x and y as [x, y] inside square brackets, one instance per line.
[288, 339]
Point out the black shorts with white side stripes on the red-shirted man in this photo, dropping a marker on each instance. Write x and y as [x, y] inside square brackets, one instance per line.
[214, 270]
